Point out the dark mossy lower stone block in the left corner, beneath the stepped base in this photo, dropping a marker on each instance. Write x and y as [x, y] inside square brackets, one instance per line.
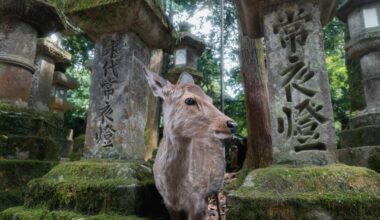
[14, 176]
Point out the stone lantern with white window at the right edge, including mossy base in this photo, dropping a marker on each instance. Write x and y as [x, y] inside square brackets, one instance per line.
[361, 141]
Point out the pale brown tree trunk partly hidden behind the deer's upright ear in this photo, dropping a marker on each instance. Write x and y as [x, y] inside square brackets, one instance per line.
[153, 120]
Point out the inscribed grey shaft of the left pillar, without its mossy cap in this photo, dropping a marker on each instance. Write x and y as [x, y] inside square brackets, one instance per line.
[117, 112]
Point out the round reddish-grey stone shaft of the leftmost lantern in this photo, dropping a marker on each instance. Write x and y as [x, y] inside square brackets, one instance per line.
[16, 59]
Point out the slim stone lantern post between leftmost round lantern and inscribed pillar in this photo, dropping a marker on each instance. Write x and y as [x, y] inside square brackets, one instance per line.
[48, 55]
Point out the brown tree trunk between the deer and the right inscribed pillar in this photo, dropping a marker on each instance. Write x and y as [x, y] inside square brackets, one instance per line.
[259, 149]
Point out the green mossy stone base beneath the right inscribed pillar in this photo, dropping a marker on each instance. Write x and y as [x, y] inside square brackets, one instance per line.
[330, 192]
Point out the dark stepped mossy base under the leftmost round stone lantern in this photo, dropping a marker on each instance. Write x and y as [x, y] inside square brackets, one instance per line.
[27, 133]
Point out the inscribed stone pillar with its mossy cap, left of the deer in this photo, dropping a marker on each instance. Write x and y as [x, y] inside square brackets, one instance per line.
[124, 34]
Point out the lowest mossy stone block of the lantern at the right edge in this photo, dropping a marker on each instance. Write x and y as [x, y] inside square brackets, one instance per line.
[368, 156]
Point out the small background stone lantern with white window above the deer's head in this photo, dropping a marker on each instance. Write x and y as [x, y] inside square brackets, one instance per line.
[186, 54]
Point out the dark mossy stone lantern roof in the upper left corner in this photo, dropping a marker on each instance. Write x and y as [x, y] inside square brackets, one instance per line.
[39, 13]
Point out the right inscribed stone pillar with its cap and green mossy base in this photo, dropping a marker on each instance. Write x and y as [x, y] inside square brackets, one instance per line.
[302, 123]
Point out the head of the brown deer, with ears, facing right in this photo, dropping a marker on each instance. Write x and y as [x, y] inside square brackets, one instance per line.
[188, 111]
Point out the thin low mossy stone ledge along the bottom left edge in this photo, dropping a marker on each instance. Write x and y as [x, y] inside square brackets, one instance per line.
[22, 213]
